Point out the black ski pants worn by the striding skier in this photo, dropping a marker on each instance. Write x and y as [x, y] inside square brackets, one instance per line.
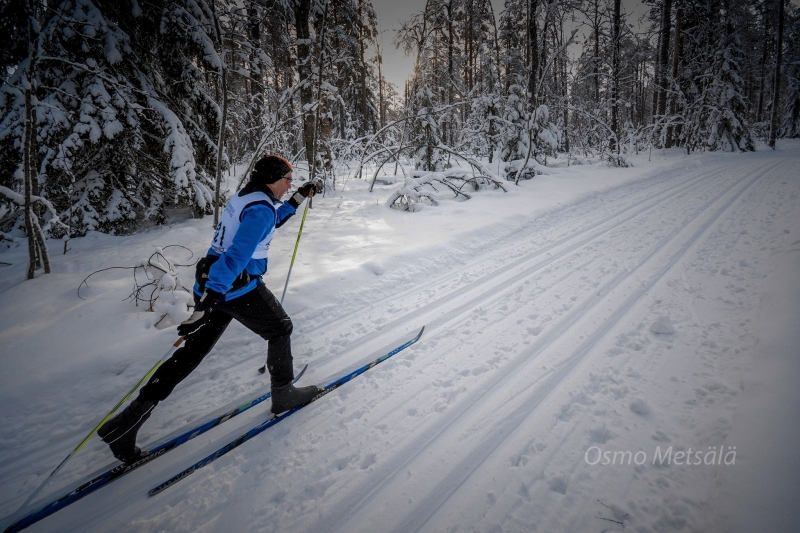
[260, 312]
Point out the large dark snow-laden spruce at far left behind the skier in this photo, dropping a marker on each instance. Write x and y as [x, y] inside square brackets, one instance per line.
[125, 111]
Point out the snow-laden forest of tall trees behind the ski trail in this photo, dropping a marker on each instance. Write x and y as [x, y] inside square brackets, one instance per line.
[118, 114]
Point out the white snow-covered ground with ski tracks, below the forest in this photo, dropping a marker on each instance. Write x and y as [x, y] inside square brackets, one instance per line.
[649, 310]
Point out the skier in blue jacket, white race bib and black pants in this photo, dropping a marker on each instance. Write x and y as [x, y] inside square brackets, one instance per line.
[229, 286]
